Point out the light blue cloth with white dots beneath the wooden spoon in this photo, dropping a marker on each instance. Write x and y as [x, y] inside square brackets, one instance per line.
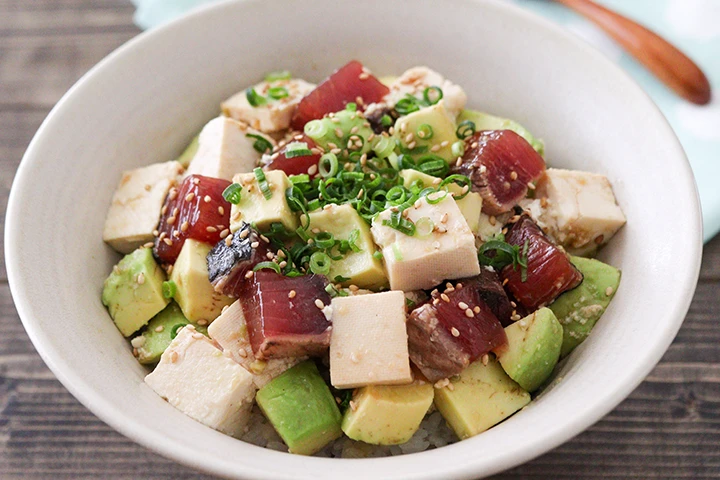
[692, 25]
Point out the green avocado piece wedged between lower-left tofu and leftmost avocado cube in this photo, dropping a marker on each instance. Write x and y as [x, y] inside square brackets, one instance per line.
[159, 332]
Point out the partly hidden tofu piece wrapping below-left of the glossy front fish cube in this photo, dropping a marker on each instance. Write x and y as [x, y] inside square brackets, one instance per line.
[229, 330]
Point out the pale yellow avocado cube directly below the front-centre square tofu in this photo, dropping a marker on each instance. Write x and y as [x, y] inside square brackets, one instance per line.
[387, 415]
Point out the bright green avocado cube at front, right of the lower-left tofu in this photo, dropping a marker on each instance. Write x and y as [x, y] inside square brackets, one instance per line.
[301, 408]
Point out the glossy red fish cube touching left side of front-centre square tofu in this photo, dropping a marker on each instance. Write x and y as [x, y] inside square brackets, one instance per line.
[286, 316]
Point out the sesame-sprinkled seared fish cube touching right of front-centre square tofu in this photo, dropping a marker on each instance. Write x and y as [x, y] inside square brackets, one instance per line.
[451, 330]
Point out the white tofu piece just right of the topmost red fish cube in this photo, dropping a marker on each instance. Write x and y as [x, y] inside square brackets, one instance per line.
[414, 82]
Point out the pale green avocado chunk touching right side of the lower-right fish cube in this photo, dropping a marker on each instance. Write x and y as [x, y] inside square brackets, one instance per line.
[533, 348]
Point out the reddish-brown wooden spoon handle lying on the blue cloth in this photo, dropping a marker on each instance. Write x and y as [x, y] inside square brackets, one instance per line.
[668, 63]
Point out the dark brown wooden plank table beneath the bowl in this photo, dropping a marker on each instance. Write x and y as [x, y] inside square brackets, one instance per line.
[668, 428]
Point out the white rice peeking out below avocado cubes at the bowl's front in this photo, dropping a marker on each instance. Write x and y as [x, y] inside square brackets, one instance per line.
[433, 433]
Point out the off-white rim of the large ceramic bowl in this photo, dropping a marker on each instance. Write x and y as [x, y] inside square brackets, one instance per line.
[155, 441]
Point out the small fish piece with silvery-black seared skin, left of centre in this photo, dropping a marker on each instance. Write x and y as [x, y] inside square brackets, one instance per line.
[229, 263]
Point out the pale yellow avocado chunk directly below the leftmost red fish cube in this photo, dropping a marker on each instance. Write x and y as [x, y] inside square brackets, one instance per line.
[195, 294]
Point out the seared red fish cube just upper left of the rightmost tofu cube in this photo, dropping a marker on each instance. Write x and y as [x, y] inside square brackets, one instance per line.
[500, 164]
